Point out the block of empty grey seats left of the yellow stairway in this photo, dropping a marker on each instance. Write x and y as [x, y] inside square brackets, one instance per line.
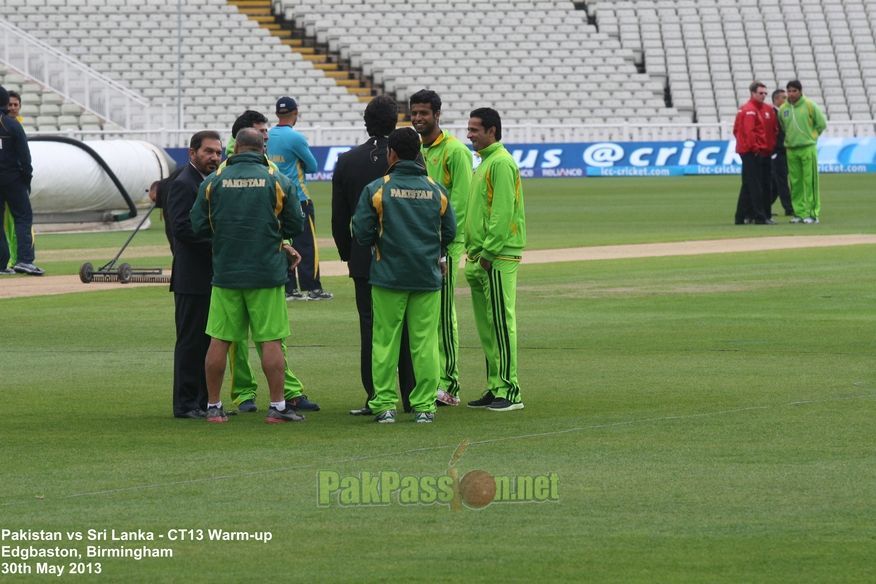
[229, 63]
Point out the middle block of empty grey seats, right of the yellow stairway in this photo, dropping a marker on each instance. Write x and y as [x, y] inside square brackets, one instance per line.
[537, 62]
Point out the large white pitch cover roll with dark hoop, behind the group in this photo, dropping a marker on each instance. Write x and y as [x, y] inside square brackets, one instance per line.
[66, 179]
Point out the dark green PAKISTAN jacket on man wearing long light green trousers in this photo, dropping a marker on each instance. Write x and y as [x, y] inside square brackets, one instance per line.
[406, 217]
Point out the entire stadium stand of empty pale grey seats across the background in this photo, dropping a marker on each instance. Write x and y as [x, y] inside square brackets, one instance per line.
[549, 65]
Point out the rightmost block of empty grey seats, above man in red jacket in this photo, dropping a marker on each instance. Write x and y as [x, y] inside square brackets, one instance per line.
[707, 51]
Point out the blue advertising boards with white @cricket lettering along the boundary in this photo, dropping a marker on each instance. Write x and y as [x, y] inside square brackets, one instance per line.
[688, 157]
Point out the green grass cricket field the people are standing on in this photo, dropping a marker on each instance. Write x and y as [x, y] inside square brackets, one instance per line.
[709, 418]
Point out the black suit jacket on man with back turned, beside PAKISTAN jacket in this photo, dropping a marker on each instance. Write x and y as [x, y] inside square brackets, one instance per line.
[354, 170]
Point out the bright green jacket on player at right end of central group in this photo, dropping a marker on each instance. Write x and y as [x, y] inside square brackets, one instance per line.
[495, 225]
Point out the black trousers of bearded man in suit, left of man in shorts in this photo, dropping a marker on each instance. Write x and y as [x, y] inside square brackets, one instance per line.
[189, 379]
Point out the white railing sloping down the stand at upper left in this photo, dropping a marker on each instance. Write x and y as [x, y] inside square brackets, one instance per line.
[77, 82]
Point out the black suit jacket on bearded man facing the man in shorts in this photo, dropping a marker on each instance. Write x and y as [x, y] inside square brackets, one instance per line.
[192, 256]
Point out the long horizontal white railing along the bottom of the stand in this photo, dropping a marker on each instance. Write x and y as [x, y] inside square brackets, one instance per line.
[512, 133]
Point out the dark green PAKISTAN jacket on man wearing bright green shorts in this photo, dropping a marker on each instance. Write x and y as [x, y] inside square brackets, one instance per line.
[247, 208]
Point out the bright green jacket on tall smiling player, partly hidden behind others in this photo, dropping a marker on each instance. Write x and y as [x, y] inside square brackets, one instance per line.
[448, 161]
